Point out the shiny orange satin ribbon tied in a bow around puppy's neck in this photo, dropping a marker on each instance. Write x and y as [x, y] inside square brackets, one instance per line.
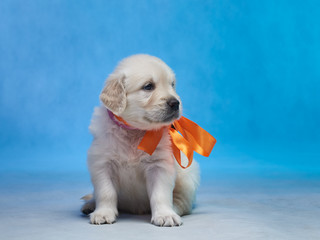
[192, 138]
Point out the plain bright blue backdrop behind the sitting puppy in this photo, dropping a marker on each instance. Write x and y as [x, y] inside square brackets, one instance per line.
[247, 71]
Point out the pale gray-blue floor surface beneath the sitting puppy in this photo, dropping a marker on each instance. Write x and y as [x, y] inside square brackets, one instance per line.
[46, 206]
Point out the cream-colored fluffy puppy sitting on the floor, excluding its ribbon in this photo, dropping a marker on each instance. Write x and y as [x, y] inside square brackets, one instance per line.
[141, 90]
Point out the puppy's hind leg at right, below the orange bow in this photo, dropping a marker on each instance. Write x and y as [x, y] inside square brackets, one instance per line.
[187, 182]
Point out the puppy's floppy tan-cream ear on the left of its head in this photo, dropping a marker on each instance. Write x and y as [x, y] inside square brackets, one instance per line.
[113, 95]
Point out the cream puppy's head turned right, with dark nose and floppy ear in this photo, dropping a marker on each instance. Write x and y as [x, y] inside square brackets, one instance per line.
[141, 90]
